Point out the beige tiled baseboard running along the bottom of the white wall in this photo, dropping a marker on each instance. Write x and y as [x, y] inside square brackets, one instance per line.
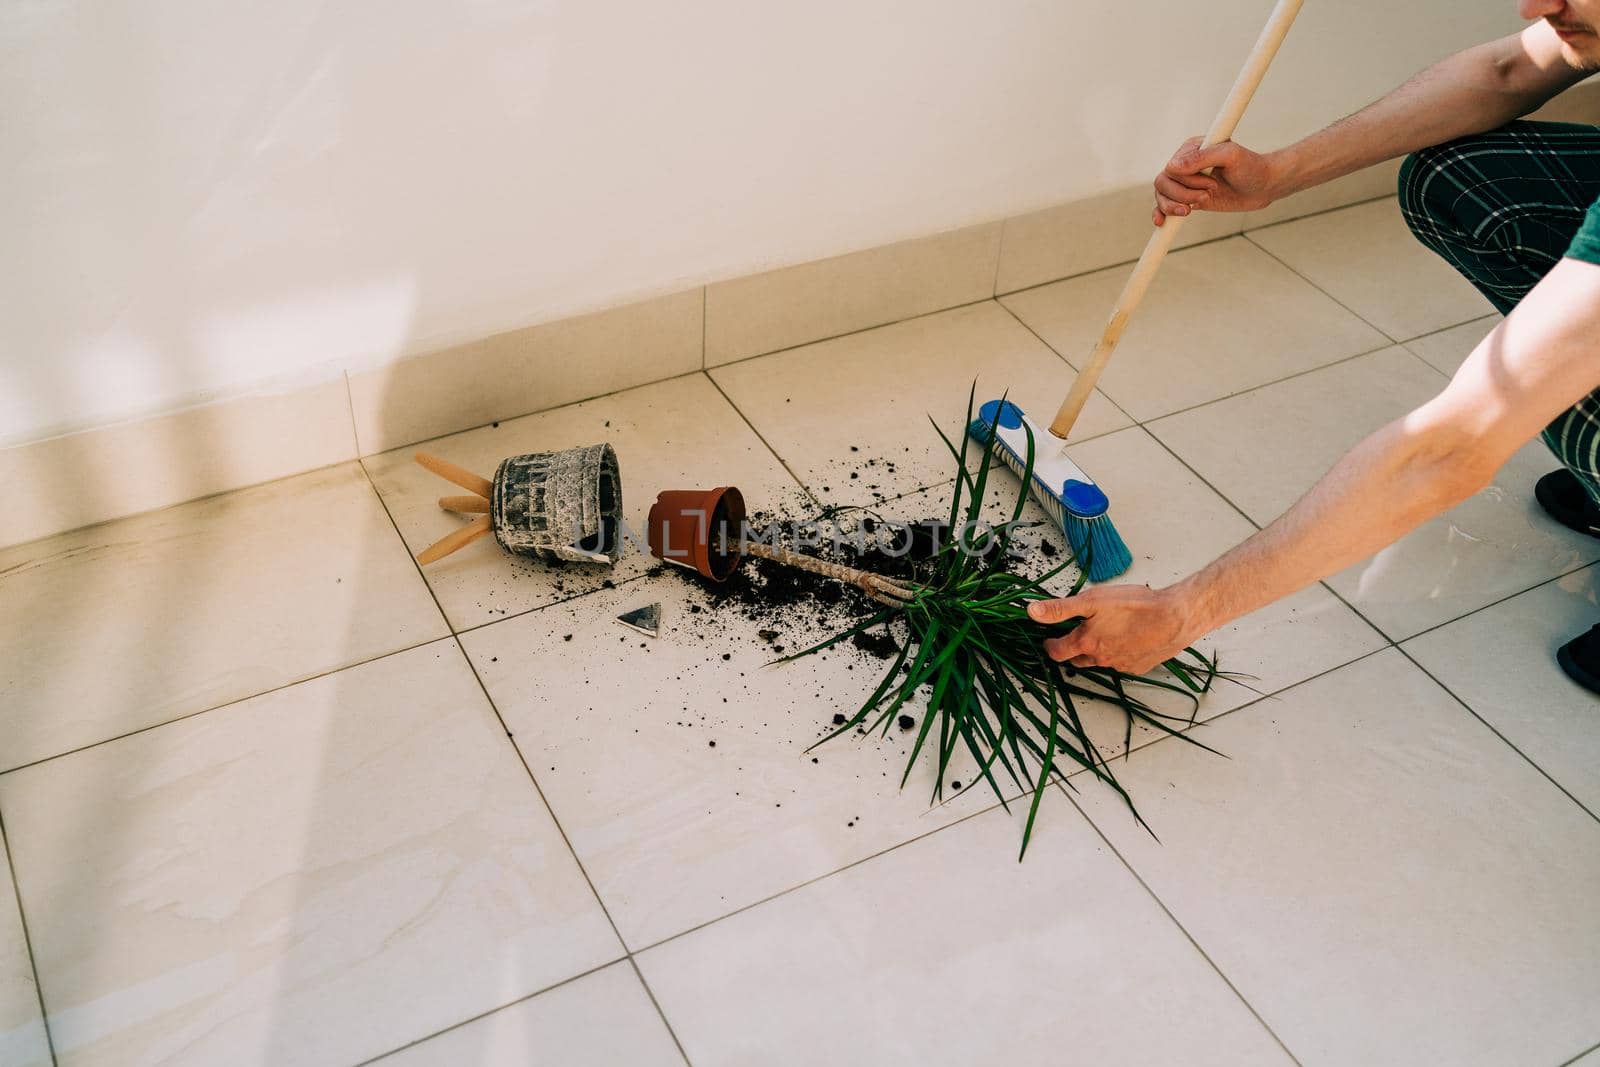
[111, 473]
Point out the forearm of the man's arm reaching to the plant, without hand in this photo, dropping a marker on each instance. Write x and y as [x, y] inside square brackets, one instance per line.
[1388, 486]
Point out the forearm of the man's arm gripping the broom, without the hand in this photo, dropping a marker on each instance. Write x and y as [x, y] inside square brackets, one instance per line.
[1474, 90]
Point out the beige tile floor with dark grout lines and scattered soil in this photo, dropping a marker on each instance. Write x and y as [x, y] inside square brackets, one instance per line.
[273, 796]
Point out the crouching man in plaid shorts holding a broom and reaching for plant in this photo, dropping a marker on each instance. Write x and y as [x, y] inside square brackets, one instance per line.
[1516, 209]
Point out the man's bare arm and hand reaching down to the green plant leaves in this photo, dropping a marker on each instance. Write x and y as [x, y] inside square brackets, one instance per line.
[1535, 366]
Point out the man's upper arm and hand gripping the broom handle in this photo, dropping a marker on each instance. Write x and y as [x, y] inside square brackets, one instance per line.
[1474, 90]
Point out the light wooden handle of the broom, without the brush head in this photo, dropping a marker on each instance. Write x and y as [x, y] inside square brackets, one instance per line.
[1255, 70]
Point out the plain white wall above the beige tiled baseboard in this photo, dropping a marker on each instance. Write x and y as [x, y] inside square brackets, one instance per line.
[206, 198]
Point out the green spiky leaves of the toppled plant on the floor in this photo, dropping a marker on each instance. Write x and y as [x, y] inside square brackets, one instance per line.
[966, 639]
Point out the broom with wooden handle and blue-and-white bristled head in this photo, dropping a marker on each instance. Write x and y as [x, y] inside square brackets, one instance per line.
[1058, 484]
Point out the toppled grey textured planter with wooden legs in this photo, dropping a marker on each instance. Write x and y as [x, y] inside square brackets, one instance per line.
[553, 506]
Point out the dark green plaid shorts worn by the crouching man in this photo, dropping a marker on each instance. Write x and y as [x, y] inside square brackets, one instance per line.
[1502, 209]
